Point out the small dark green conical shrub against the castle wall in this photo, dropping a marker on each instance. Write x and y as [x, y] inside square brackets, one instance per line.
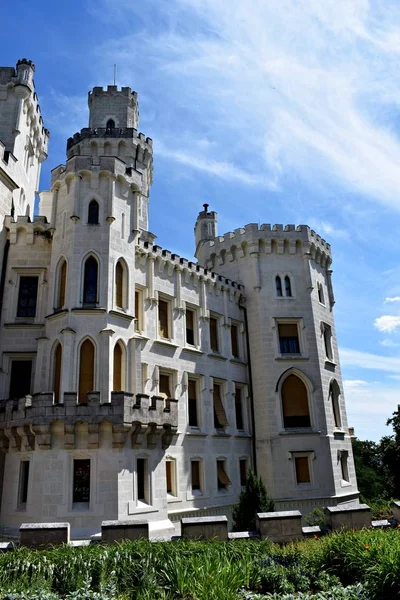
[252, 499]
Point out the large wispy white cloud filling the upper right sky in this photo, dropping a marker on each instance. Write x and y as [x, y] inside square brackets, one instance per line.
[302, 87]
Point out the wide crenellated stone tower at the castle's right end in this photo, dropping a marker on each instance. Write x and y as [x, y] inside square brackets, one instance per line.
[303, 446]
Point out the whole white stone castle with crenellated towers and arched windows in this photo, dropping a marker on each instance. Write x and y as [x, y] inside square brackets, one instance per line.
[137, 384]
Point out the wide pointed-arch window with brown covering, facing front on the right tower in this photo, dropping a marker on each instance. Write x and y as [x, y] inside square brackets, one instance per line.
[295, 403]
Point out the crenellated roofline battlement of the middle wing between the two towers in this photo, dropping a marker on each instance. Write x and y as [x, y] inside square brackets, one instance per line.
[146, 249]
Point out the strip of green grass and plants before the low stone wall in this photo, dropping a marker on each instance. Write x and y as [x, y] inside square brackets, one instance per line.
[346, 565]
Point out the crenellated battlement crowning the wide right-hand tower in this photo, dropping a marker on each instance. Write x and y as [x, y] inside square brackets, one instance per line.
[267, 239]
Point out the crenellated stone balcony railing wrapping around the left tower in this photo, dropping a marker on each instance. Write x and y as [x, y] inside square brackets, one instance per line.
[38, 419]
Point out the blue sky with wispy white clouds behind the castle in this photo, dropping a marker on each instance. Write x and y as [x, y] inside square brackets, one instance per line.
[284, 111]
